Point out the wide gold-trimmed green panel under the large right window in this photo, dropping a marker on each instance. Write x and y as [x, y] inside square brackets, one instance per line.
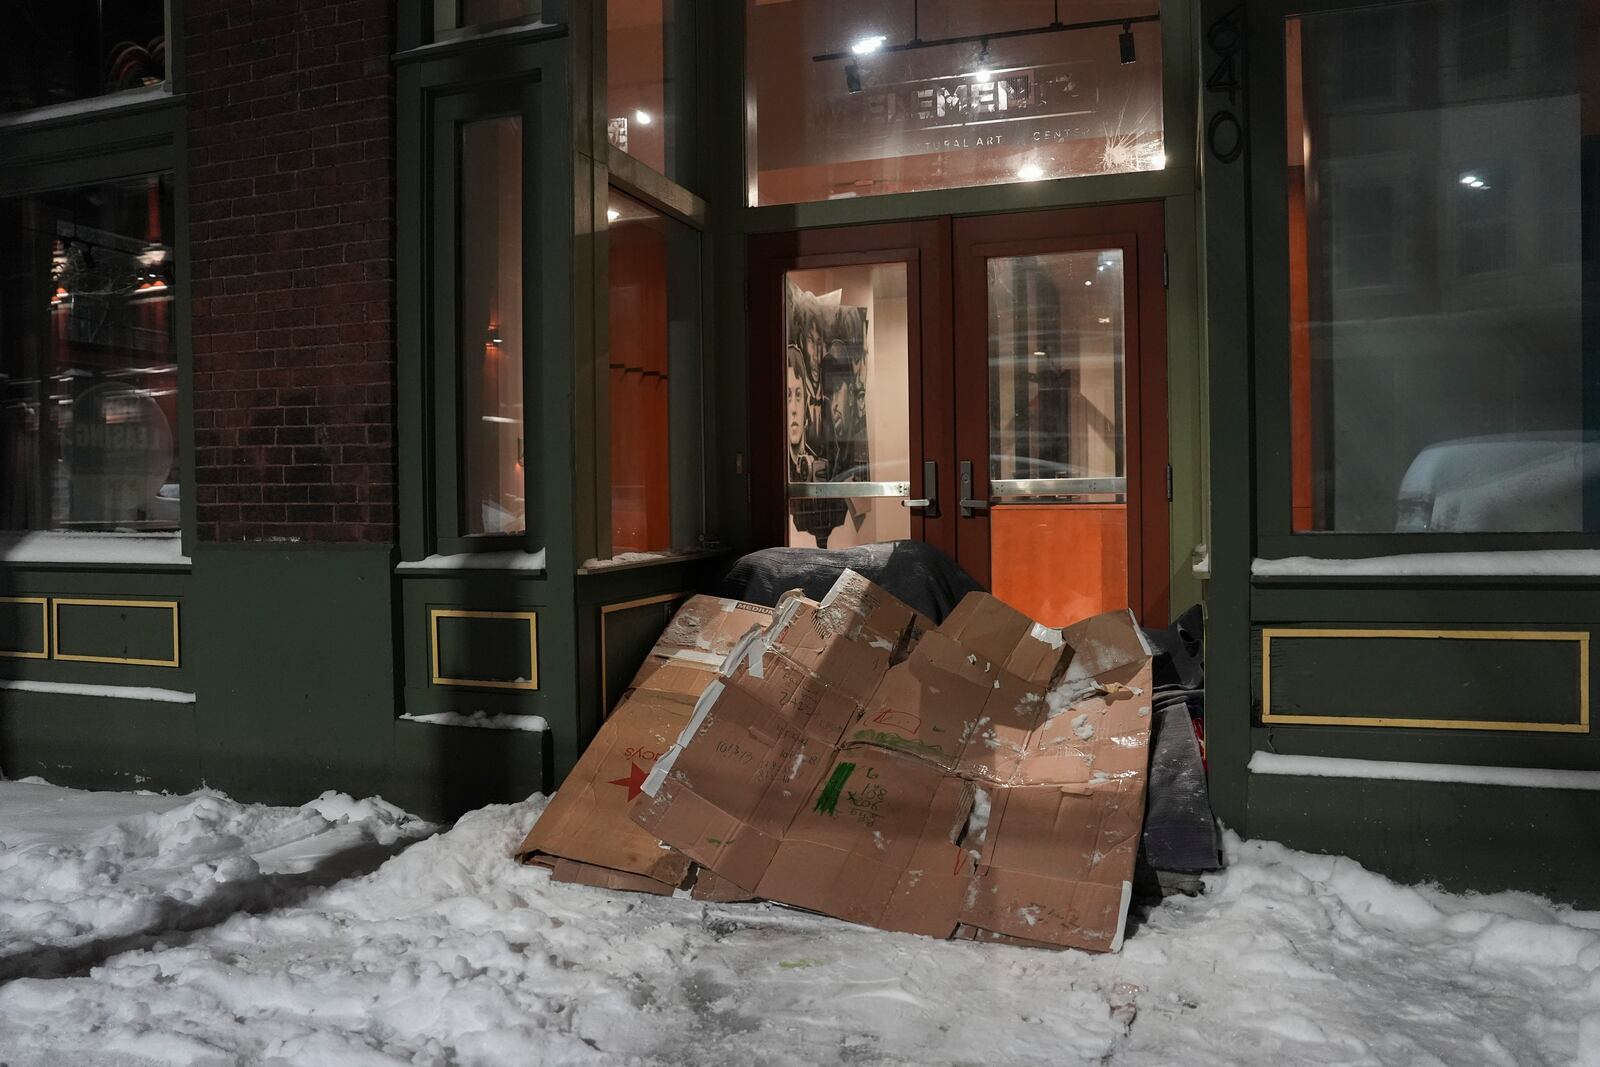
[1442, 682]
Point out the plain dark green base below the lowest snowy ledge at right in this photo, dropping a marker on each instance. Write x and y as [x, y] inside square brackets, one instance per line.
[1466, 837]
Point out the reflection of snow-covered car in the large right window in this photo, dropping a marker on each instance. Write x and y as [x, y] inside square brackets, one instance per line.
[1500, 484]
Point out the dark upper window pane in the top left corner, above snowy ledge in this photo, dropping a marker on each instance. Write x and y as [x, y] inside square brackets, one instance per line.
[68, 50]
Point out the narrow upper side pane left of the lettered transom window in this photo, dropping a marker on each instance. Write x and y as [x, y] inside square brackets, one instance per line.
[649, 84]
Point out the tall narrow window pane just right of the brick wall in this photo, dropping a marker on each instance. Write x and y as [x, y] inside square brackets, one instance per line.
[492, 330]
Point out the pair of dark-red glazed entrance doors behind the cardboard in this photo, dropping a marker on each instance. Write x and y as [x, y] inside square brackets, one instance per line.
[993, 386]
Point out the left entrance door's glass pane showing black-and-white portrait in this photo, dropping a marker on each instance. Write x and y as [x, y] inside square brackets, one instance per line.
[847, 394]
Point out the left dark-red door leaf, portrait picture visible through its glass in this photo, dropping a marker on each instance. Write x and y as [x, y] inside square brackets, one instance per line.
[850, 386]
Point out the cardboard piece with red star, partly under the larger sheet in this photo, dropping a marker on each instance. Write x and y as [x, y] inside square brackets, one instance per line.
[585, 834]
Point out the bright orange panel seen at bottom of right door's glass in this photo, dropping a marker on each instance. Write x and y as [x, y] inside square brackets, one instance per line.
[1060, 562]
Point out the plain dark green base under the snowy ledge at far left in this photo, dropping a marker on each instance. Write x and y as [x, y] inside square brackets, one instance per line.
[100, 743]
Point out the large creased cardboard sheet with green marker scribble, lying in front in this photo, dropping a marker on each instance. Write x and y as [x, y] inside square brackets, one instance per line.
[980, 780]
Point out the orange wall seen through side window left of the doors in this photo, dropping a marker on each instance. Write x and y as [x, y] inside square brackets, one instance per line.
[641, 505]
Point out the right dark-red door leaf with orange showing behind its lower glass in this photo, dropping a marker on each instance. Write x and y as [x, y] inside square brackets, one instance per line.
[1062, 454]
